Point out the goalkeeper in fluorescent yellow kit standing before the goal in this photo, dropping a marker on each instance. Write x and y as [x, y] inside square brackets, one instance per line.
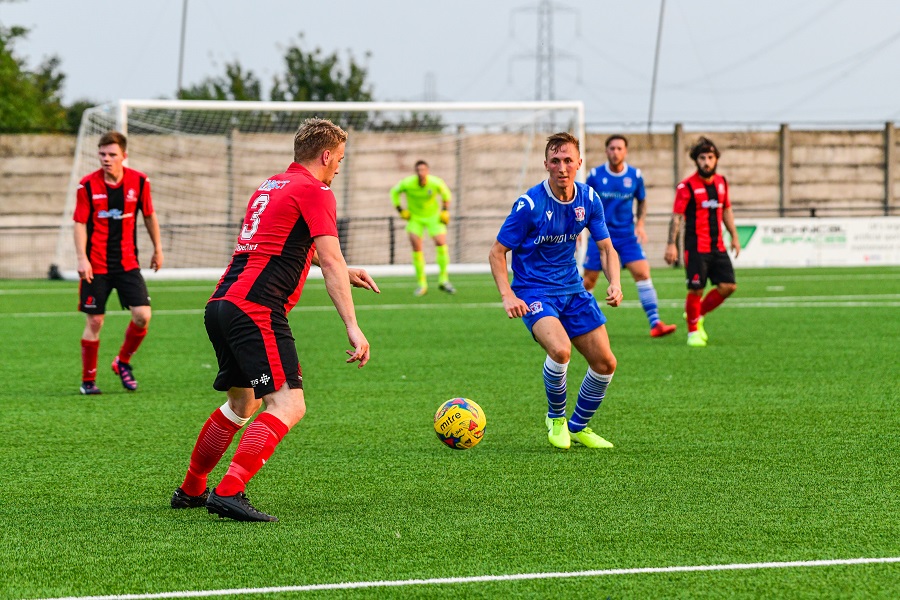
[423, 213]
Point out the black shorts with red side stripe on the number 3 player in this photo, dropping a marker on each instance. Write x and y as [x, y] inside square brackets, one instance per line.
[254, 347]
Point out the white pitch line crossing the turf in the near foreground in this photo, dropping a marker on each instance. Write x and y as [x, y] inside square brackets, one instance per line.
[491, 578]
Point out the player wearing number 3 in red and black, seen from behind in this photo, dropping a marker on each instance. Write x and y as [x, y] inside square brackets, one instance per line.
[290, 224]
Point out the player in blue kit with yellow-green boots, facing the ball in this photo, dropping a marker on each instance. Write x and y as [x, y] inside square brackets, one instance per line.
[548, 293]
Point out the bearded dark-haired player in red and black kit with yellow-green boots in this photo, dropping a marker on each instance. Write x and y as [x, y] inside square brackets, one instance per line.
[703, 205]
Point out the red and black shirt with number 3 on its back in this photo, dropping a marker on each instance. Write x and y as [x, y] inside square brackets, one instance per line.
[275, 246]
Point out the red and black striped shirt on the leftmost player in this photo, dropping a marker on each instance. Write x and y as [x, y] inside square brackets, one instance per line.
[110, 212]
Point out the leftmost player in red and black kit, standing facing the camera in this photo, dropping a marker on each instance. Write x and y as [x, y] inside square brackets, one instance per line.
[107, 203]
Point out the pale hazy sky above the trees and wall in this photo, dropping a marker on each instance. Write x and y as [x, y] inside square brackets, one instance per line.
[759, 63]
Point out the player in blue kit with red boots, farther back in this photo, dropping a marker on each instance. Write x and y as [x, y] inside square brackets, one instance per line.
[619, 184]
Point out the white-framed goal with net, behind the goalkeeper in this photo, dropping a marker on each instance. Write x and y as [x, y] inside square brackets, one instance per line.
[204, 160]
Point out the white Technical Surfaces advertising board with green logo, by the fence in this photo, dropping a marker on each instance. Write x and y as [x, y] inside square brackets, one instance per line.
[818, 242]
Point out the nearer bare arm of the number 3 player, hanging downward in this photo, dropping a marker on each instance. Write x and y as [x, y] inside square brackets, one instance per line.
[337, 284]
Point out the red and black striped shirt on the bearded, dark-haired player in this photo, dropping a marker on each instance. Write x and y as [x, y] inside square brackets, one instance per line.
[702, 204]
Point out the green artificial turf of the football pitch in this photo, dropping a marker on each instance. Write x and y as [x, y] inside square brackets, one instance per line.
[778, 442]
